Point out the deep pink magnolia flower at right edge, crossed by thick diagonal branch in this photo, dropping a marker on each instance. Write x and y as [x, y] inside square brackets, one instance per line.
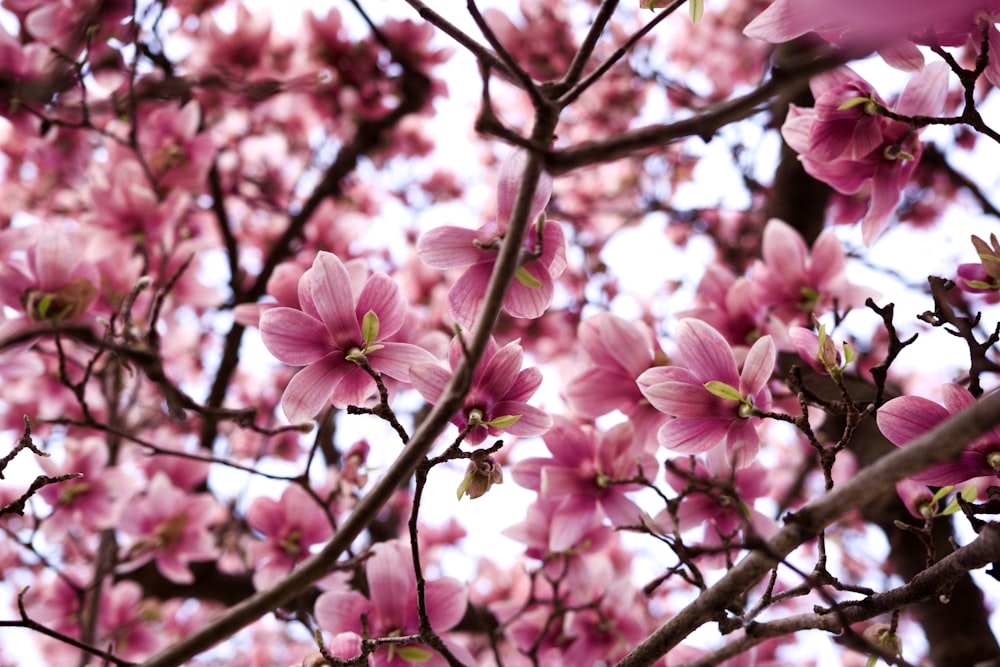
[906, 418]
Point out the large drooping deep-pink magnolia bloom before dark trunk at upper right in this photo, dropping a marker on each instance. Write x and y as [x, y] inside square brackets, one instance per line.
[880, 153]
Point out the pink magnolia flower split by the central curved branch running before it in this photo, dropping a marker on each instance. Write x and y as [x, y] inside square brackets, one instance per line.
[452, 247]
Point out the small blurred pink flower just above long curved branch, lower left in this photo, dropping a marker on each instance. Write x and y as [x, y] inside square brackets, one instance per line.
[289, 526]
